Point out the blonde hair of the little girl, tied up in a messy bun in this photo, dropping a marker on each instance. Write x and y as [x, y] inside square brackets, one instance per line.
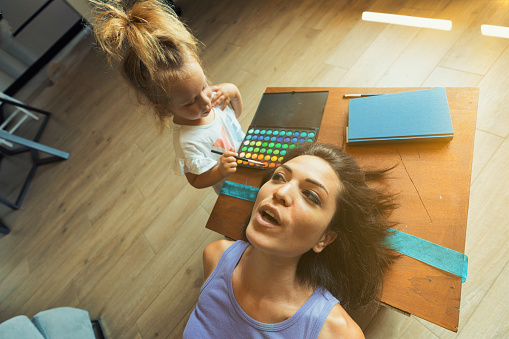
[152, 45]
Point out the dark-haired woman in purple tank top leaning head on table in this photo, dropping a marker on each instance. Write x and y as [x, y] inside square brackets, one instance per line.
[315, 248]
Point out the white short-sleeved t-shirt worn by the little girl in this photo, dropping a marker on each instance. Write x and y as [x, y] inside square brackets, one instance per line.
[193, 144]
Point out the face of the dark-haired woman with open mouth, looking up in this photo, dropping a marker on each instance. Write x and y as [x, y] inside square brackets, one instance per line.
[294, 208]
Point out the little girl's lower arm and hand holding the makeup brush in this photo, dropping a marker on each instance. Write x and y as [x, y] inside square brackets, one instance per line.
[227, 165]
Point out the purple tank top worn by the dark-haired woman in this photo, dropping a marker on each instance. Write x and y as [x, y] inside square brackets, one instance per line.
[218, 315]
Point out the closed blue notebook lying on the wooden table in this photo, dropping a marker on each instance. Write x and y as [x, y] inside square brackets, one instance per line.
[400, 117]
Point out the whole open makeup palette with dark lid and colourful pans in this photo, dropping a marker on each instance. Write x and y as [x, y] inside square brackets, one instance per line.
[282, 122]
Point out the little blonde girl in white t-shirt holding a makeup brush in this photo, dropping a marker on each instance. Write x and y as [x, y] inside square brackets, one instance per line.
[159, 58]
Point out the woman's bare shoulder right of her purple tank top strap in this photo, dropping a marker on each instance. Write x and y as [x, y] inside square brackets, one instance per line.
[340, 325]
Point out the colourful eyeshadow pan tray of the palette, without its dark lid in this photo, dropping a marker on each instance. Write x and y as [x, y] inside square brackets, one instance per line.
[268, 145]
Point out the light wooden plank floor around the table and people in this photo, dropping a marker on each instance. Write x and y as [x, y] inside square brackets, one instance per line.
[110, 231]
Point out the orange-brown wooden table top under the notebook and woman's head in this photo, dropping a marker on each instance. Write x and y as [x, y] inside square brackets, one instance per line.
[433, 182]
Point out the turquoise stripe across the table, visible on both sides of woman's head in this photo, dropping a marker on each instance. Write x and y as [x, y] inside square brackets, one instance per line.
[430, 253]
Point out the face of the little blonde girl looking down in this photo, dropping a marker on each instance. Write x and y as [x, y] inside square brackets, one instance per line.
[191, 97]
